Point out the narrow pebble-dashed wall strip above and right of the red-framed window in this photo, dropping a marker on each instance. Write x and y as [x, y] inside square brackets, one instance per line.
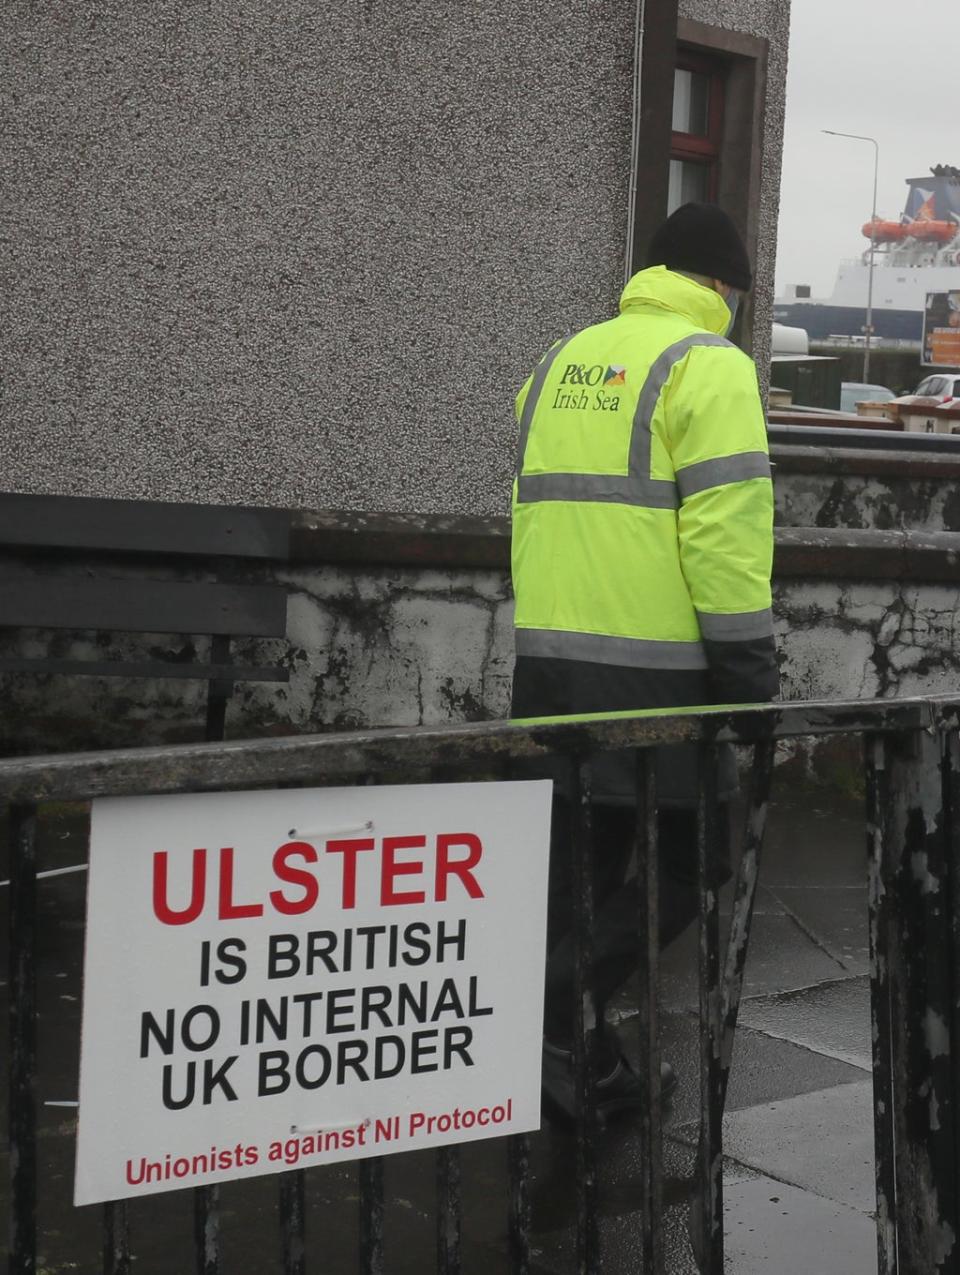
[772, 21]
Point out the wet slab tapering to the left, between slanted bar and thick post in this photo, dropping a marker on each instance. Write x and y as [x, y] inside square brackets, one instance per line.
[832, 1018]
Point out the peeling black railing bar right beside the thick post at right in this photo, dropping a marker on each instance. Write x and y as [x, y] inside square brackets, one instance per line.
[879, 885]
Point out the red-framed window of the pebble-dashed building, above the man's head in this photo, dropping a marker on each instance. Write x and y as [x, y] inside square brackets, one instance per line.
[698, 127]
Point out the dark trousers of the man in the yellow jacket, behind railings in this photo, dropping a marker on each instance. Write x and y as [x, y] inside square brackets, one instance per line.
[619, 908]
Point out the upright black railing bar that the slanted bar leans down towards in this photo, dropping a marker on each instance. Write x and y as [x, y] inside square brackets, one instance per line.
[711, 1146]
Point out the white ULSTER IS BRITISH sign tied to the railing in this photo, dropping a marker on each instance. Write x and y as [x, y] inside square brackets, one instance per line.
[298, 977]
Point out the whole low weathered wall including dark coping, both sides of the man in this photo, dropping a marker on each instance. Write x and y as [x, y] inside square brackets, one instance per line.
[405, 620]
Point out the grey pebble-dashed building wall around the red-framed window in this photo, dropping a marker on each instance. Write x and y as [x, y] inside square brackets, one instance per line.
[304, 256]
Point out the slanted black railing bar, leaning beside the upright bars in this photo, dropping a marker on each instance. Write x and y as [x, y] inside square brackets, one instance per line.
[745, 897]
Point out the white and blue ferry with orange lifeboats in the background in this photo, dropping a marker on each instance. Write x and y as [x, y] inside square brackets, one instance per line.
[916, 256]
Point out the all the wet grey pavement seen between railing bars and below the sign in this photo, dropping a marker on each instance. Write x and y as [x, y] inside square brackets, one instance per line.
[799, 1177]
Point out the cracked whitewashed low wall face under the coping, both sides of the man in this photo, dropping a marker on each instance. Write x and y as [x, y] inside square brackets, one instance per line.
[404, 646]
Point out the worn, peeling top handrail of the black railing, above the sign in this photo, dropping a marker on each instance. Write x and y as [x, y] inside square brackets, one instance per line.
[317, 758]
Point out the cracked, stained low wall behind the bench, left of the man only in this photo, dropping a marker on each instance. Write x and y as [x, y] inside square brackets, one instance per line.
[365, 647]
